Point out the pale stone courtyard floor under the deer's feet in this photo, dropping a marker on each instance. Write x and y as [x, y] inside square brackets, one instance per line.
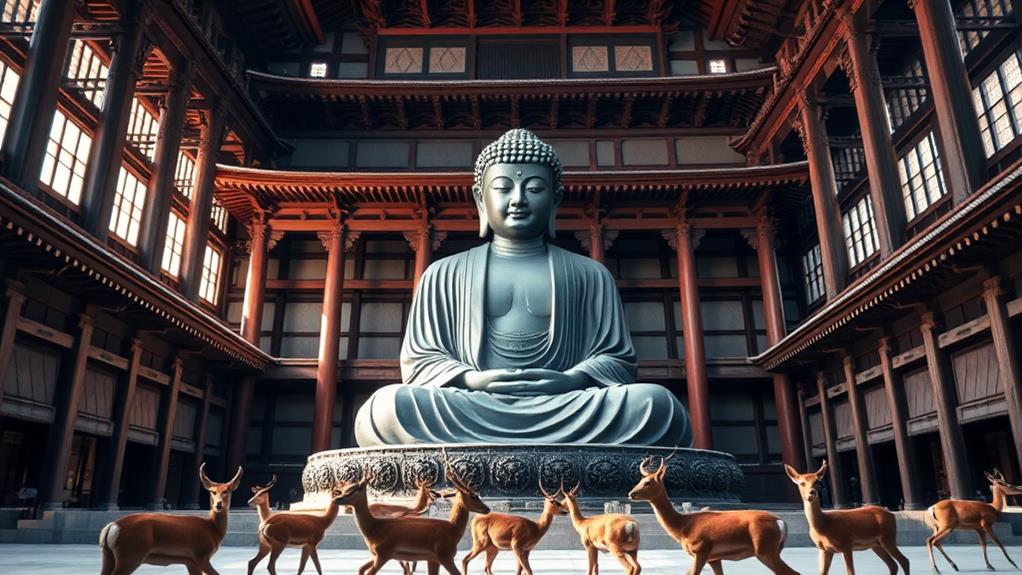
[73, 560]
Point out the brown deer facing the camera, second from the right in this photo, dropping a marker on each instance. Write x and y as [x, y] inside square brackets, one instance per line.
[846, 532]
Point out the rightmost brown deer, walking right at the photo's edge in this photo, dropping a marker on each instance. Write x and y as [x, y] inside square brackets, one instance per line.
[950, 515]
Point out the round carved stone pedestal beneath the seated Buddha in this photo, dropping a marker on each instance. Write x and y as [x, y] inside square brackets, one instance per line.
[509, 475]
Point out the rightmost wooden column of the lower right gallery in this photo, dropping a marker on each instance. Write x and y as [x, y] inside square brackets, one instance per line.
[1004, 346]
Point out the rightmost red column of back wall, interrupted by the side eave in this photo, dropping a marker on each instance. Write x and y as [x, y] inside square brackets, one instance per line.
[784, 398]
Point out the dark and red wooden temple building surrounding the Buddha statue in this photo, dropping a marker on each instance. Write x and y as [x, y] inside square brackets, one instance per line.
[214, 214]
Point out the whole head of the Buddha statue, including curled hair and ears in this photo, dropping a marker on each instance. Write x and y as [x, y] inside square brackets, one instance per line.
[518, 186]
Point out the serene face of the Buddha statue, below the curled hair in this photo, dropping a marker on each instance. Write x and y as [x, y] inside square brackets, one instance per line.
[519, 200]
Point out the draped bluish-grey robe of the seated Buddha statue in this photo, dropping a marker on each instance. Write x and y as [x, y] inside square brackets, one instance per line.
[445, 339]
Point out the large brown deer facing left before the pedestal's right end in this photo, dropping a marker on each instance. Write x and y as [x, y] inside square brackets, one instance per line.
[710, 537]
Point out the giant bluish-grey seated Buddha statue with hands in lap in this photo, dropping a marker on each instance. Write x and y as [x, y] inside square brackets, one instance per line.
[518, 341]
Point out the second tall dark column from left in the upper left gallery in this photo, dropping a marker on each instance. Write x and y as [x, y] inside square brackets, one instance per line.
[129, 54]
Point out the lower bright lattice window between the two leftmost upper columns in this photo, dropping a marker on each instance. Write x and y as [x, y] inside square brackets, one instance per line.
[67, 158]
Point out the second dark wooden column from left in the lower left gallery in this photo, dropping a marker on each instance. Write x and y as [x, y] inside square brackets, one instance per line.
[58, 454]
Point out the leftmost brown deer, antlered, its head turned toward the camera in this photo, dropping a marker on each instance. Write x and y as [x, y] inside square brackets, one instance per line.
[158, 539]
